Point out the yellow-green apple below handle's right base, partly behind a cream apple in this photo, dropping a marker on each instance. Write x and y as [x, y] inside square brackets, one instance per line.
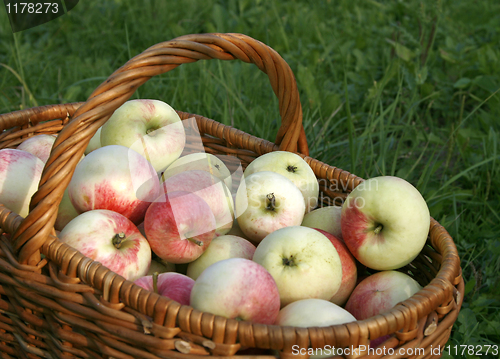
[293, 167]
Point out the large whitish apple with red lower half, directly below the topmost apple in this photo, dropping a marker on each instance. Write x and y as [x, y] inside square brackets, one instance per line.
[115, 178]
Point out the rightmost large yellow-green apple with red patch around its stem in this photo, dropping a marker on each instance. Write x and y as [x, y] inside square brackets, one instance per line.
[385, 222]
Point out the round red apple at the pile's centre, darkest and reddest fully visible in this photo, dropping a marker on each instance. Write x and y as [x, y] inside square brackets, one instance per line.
[179, 226]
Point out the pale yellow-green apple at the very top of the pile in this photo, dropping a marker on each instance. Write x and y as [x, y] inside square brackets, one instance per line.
[150, 127]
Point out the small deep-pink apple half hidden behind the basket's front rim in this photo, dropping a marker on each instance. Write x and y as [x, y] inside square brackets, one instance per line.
[172, 285]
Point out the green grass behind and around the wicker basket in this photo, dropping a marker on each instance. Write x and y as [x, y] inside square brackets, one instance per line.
[405, 88]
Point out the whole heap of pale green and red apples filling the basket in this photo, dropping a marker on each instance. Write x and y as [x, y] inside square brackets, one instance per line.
[254, 248]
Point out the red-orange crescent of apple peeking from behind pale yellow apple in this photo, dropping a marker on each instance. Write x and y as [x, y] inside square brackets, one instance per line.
[349, 270]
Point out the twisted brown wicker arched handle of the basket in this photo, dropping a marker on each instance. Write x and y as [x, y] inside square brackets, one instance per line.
[33, 232]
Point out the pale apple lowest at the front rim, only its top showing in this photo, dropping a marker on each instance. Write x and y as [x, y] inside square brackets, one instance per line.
[313, 312]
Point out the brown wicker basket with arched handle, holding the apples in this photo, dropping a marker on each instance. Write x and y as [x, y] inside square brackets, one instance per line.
[56, 303]
